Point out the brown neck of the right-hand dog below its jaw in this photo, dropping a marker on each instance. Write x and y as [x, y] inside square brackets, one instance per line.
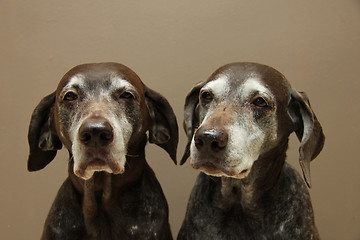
[263, 177]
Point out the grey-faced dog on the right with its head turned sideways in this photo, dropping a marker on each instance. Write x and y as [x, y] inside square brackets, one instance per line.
[238, 123]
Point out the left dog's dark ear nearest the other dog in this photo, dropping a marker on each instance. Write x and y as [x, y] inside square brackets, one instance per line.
[163, 130]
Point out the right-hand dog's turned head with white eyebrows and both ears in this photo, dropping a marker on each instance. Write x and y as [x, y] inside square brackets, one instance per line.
[243, 111]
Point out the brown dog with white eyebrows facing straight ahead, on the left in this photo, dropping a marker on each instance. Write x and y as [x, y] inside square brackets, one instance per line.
[102, 114]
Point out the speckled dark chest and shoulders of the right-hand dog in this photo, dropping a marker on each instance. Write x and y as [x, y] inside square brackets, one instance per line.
[285, 212]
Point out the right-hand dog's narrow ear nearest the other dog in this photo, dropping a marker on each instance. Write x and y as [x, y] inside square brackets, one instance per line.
[190, 117]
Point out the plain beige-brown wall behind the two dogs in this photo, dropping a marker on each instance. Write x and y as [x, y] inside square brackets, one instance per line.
[172, 45]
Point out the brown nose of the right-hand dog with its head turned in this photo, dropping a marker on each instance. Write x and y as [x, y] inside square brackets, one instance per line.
[211, 140]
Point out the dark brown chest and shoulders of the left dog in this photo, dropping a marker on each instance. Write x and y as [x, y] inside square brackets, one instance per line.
[139, 211]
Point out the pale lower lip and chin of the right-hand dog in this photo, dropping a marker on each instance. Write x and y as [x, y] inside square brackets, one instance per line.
[212, 170]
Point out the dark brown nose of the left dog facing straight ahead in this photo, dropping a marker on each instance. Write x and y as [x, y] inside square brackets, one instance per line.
[96, 133]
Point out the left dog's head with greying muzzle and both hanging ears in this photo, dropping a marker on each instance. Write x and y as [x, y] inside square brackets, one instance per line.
[100, 113]
